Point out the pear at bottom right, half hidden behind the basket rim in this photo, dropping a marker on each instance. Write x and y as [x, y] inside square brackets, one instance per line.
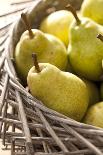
[94, 115]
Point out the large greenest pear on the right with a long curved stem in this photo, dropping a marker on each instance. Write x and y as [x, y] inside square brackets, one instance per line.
[85, 50]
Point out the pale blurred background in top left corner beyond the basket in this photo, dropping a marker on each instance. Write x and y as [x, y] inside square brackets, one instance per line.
[10, 10]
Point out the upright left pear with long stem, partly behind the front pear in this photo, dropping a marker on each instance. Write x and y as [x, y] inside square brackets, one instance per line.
[49, 48]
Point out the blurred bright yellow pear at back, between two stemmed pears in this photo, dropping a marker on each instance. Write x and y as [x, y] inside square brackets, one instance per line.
[58, 23]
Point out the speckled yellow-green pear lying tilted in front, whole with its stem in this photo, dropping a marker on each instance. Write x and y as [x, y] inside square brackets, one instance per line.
[58, 90]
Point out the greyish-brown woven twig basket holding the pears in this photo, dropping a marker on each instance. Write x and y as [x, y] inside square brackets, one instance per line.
[36, 129]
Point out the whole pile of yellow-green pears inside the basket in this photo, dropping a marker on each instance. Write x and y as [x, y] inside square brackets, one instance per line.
[61, 61]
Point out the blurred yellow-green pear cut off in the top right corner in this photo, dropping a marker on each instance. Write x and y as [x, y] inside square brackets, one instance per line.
[93, 9]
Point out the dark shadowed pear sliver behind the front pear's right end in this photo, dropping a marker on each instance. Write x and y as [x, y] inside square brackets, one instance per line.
[93, 91]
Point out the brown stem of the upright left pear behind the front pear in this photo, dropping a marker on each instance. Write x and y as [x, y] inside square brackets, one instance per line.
[24, 17]
